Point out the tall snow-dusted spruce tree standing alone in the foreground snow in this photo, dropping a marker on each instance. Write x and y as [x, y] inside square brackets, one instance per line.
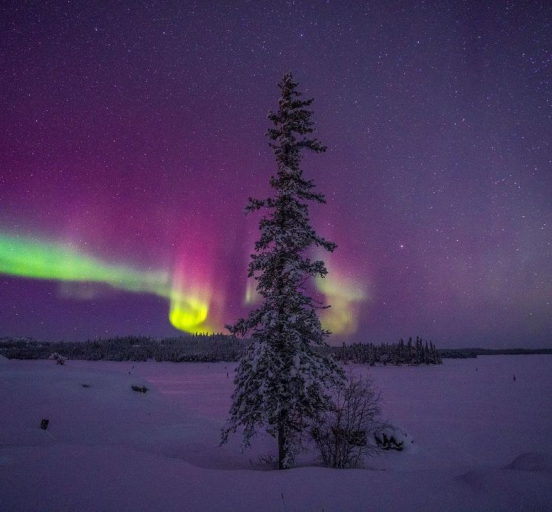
[281, 382]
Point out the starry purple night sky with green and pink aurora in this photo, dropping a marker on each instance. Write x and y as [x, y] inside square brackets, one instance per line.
[132, 134]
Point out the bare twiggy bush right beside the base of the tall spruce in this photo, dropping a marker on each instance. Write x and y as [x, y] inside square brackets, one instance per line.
[343, 435]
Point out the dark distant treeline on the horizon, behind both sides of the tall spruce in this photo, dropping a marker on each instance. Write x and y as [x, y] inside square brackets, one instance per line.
[207, 348]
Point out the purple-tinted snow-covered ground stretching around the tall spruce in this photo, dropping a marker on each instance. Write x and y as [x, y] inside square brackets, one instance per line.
[482, 441]
